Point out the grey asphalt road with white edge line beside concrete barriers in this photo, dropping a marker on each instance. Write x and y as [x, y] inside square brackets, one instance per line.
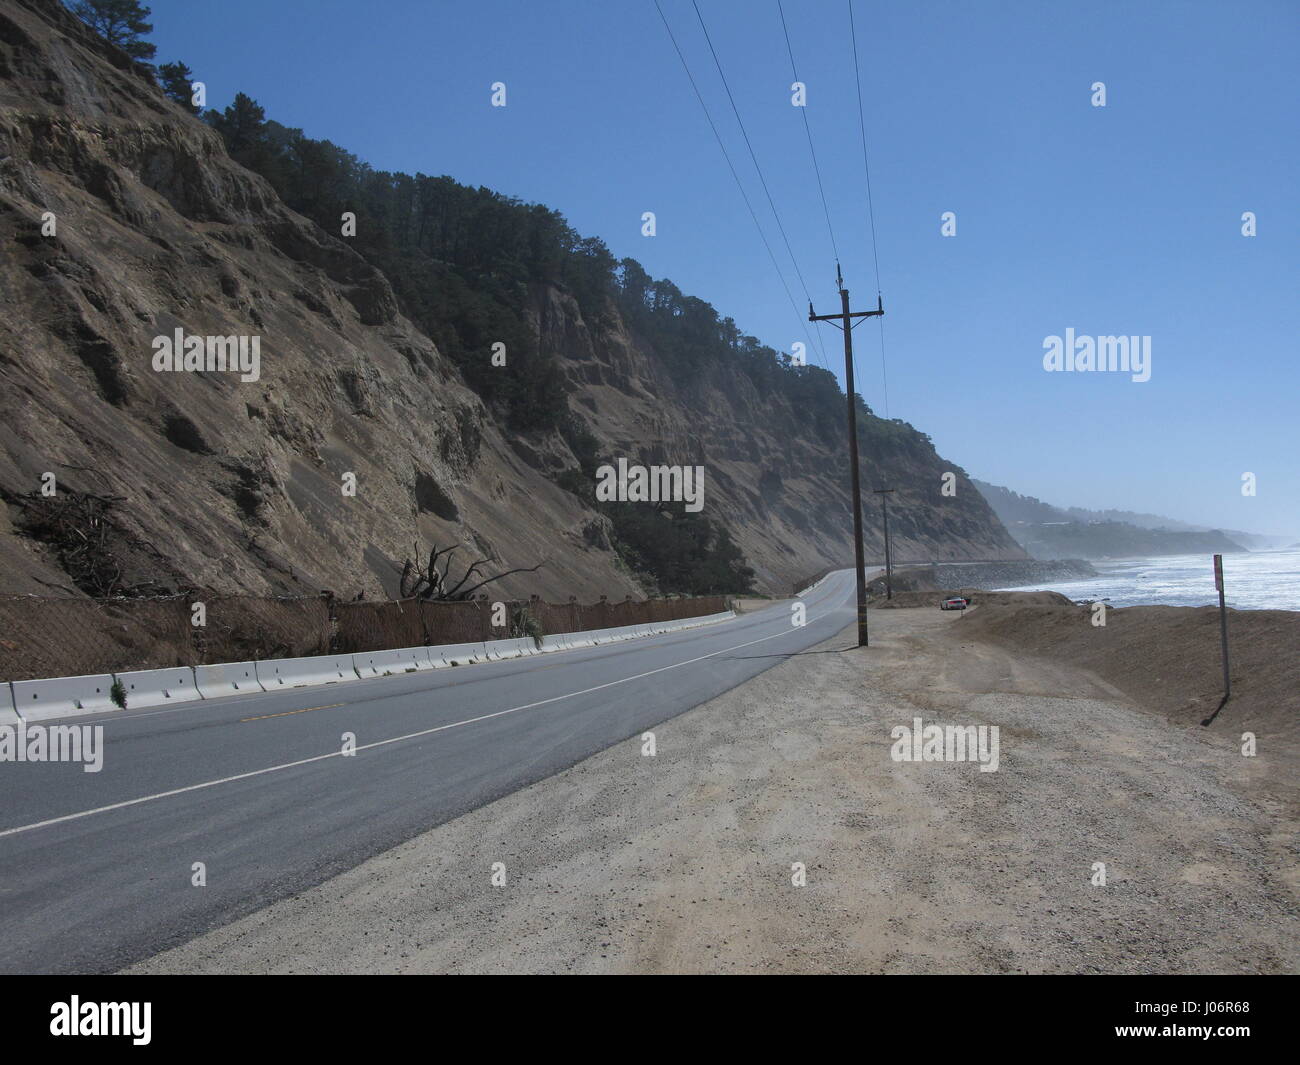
[97, 868]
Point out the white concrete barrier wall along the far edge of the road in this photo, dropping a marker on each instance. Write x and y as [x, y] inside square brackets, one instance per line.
[70, 696]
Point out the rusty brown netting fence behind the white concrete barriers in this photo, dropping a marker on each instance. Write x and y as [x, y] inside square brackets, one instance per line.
[44, 638]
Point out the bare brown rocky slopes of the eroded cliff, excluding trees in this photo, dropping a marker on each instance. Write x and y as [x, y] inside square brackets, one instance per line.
[123, 219]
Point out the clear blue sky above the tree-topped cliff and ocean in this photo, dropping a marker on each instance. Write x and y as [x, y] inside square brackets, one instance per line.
[1124, 219]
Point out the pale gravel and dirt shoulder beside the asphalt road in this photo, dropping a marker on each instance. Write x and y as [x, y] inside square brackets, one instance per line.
[682, 863]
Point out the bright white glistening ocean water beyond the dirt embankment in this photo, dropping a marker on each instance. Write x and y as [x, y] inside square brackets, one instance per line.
[1258, 581]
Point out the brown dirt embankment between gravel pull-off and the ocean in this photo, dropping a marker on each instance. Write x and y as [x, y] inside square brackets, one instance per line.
[1167, 659]
